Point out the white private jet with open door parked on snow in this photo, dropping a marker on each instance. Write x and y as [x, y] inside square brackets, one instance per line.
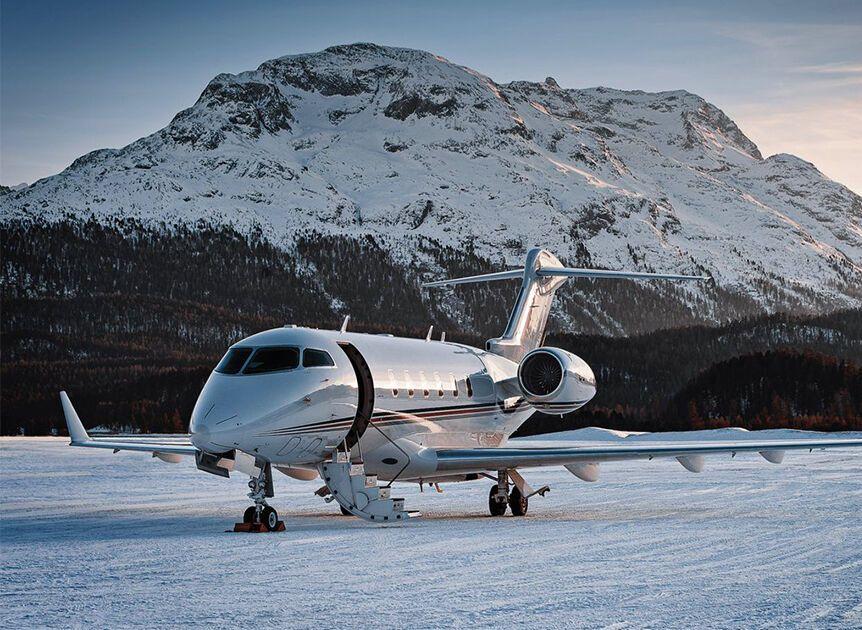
[362, 411]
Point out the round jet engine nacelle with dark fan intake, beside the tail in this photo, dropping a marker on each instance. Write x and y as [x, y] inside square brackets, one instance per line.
[556, 381]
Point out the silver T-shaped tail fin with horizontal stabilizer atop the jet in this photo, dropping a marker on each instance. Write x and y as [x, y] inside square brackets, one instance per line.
[541, 276]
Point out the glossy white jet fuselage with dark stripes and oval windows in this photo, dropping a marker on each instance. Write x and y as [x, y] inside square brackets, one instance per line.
[421, 394]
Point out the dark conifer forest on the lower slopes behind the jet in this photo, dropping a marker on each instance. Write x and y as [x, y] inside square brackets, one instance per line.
[130, 321]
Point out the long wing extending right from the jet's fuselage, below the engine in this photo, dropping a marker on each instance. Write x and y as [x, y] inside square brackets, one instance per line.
[458, 460]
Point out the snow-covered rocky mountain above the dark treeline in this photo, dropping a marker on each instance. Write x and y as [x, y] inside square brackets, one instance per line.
[422, 153]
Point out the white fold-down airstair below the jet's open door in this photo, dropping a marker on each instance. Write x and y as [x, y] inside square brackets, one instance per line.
[359, 493]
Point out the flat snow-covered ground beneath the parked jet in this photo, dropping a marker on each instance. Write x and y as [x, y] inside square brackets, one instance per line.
[96, 539]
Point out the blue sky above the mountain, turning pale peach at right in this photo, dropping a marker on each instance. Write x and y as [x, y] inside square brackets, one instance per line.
[82, 75]
